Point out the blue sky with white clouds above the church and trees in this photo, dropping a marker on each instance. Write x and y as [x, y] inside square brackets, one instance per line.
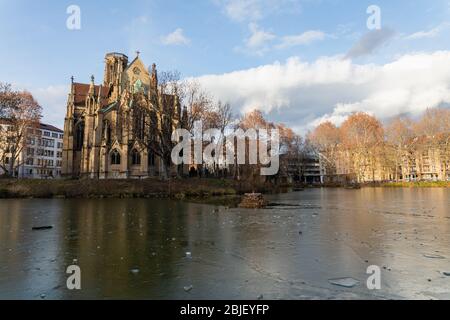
[300, 61]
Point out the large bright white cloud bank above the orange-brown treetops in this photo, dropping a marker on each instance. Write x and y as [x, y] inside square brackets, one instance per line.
[304, 94]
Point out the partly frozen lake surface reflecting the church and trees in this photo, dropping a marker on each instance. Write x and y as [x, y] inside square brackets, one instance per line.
[315, 244]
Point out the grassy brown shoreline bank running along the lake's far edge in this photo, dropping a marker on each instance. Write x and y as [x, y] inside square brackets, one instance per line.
[192, 188]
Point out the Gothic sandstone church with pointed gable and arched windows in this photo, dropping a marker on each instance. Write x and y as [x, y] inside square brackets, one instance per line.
[104, 131]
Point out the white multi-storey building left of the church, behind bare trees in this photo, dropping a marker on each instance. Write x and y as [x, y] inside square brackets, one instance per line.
[41, 156]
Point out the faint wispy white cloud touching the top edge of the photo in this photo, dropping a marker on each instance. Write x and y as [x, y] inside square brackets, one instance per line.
[254, 10]
